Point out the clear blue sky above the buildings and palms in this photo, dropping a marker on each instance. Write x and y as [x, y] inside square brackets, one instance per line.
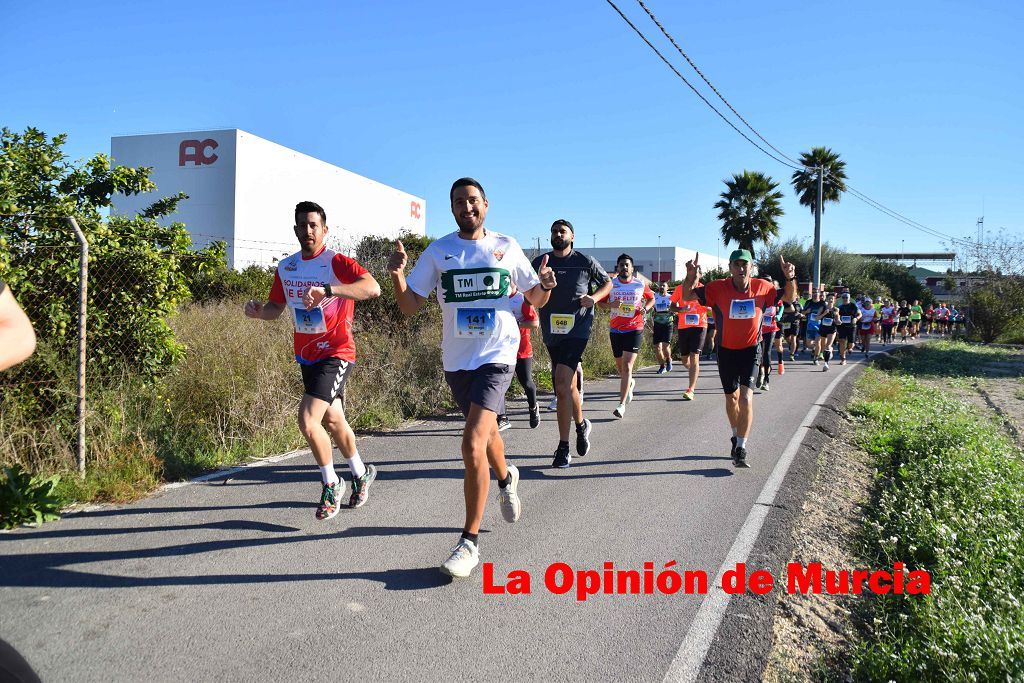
[560, 109]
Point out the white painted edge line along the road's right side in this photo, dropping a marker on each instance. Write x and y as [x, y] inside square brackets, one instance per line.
[690, 659]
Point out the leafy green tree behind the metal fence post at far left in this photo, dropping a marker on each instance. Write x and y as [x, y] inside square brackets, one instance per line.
[137, 267]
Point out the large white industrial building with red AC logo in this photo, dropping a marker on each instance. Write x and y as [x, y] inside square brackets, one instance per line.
[243, 190]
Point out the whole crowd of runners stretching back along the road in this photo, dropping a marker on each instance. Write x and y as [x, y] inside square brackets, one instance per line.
[492, 297]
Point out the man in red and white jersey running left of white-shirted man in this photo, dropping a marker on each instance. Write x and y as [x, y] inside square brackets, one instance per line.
[320, 287]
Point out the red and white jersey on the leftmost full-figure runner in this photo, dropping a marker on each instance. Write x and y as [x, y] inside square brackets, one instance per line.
[324, 332]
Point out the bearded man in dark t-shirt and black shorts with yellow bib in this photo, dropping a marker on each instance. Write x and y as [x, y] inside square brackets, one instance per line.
[566, 323]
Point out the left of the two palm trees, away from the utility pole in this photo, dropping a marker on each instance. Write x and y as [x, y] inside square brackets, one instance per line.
[750, 209]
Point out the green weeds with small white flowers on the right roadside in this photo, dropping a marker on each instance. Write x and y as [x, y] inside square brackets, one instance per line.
[951, 492]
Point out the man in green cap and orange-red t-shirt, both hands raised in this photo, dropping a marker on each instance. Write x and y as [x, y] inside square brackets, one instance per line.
[739, 304]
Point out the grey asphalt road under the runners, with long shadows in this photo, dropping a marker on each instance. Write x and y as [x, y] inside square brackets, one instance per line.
[236, 580]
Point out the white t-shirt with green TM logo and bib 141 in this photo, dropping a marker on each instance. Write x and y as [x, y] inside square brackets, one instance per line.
[473, 279]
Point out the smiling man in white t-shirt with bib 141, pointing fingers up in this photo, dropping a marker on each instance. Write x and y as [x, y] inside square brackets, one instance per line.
[472, 272]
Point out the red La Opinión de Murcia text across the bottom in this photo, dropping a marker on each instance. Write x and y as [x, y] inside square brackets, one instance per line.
[561, 579]
